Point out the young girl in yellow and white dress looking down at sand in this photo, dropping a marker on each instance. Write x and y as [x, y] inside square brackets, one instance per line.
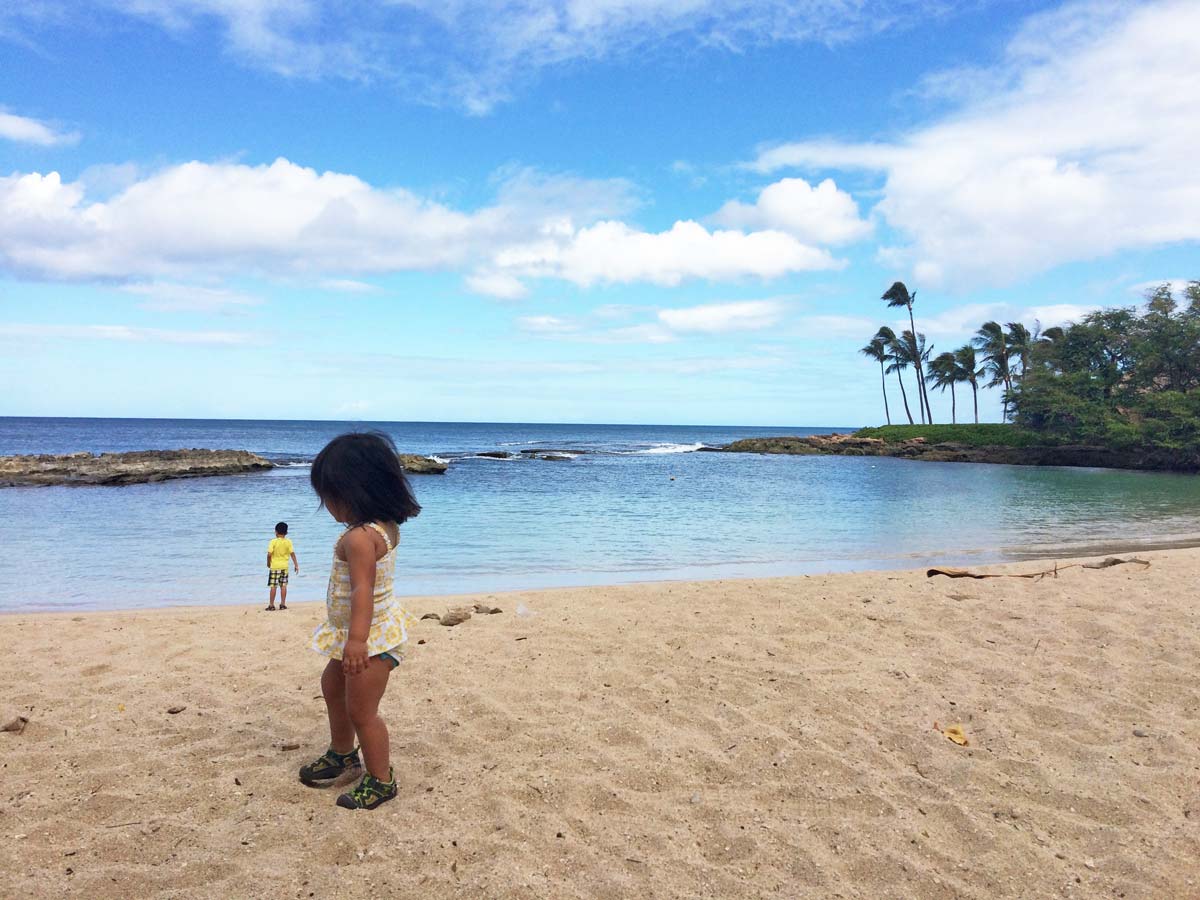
[361, 482]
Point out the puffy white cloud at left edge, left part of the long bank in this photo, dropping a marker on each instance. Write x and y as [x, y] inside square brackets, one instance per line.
[227, 219]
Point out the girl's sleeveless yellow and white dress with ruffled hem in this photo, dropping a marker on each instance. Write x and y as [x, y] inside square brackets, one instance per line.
[391, 621]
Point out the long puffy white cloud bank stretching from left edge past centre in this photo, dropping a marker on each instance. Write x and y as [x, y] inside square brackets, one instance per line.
[205, 221]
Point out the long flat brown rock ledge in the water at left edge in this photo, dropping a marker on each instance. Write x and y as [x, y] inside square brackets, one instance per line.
[85, 469]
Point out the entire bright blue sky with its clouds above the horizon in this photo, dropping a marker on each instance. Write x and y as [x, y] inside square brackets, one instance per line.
[593, 211]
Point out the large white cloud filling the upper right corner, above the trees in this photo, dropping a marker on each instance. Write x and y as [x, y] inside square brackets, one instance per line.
[1088, 147]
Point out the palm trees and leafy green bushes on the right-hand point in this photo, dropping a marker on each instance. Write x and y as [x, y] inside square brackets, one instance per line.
[1124, 379]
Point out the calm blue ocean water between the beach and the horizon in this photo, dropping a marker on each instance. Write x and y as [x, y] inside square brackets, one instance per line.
[632, 503]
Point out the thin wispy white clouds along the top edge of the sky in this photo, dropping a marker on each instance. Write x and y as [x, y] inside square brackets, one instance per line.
[475, 53]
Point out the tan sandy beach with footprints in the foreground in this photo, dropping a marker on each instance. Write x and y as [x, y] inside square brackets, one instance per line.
[724, 740]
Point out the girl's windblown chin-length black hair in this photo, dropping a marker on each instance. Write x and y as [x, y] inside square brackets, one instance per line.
[362, 473]
